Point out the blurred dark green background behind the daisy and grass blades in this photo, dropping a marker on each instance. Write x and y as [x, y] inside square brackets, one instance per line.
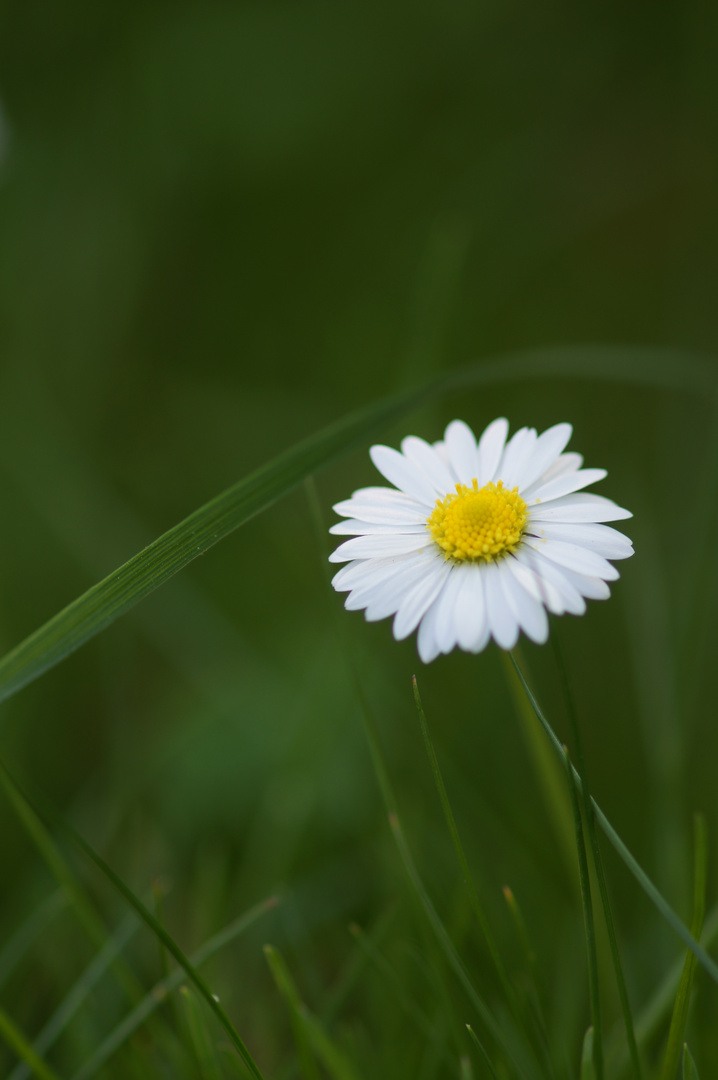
[224, 226]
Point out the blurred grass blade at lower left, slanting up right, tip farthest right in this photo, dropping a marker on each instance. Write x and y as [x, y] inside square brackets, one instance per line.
[166, 987]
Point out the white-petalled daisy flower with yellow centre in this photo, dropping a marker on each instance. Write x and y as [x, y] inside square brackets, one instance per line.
[478, 539]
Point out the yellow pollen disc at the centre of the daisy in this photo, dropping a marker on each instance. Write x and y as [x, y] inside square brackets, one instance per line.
[479, 523]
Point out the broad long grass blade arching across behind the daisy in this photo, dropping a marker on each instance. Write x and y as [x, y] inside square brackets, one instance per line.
[100, 606]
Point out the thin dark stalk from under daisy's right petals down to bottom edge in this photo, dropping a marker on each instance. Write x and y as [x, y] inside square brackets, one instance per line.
[599, 862]
